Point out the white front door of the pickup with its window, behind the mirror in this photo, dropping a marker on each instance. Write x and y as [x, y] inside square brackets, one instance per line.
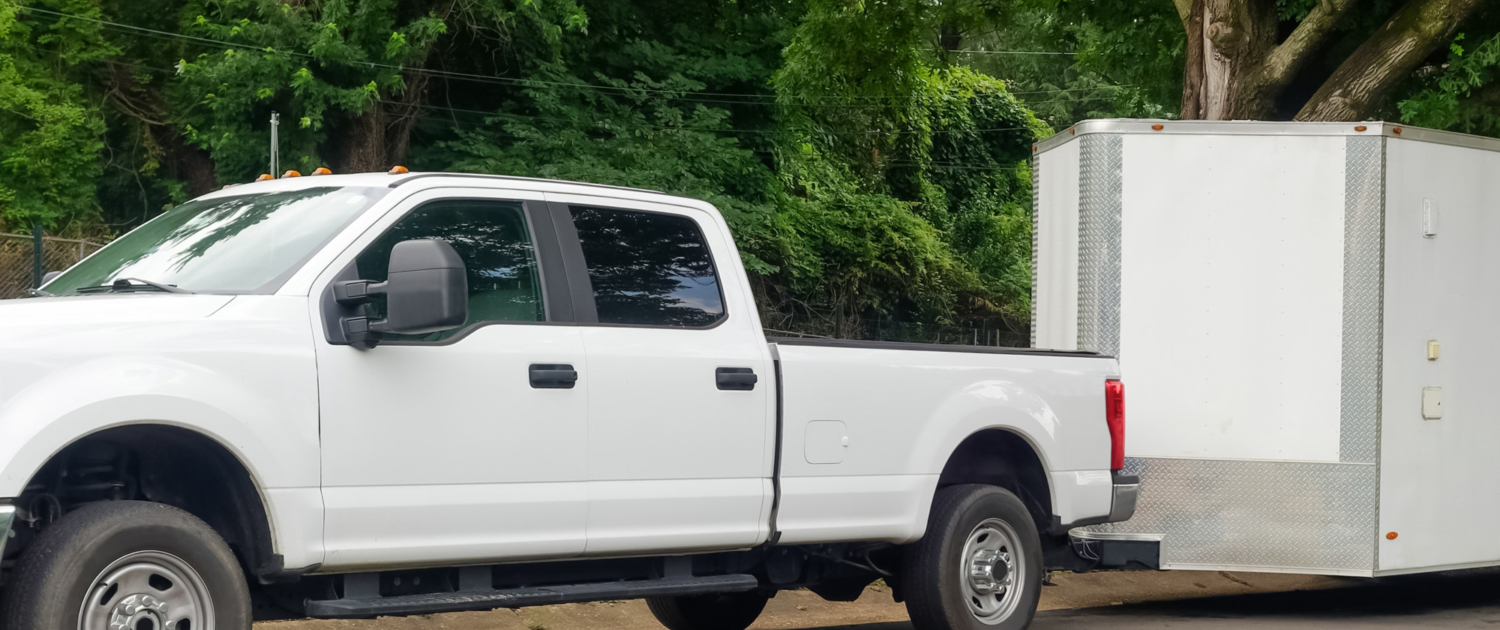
[445, 448]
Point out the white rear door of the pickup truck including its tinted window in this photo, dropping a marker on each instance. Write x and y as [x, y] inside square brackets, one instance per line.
[680, 439]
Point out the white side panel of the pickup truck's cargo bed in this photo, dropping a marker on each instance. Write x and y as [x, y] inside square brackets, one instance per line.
[899, 409]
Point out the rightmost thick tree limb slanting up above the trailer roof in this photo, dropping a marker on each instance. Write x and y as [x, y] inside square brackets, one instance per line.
[1360, 86]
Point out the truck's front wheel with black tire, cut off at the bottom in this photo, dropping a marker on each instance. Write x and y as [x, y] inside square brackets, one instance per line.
[67, 565]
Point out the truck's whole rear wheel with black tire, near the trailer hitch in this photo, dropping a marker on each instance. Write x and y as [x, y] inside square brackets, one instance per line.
[935, 569]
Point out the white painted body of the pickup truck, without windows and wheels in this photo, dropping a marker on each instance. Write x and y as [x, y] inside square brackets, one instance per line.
[442, 455]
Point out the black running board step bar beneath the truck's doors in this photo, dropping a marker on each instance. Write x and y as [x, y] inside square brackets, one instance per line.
[520, 598]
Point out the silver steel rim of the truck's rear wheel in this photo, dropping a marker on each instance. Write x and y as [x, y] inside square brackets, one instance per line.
[994, 572]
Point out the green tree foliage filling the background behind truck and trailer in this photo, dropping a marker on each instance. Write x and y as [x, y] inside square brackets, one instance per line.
[872, 166]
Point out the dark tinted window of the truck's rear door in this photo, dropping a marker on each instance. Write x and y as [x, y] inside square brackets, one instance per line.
[649, 269]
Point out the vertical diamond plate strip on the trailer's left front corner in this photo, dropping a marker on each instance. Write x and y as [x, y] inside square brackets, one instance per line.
[1100, 202]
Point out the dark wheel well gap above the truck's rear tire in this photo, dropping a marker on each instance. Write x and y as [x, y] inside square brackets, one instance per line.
[1001, 458]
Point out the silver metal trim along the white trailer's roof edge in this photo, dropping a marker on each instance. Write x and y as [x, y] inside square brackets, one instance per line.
[1265, 128]
